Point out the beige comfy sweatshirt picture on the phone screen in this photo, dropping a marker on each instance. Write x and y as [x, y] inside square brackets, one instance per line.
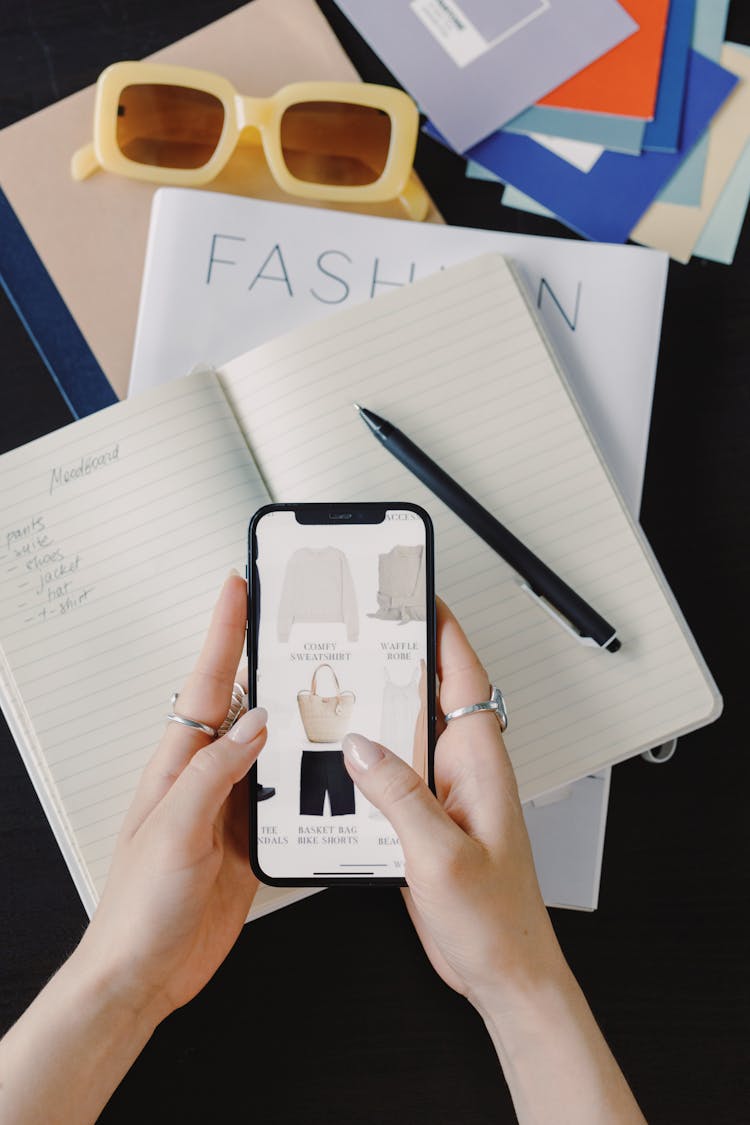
[318, 589]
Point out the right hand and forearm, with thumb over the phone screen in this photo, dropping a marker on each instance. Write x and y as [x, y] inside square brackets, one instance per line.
[476, 904]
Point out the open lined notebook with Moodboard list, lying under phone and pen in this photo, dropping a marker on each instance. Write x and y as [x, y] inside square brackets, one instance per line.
[119, 530]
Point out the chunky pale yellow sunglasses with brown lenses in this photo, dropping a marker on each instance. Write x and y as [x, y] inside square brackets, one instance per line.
[339, 142]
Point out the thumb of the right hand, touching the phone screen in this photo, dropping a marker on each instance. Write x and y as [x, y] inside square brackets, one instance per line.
[402, 796]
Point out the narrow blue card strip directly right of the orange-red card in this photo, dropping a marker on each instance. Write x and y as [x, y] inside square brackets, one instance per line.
[663, 133]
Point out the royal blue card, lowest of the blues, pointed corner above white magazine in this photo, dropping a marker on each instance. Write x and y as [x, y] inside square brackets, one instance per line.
[606, 204]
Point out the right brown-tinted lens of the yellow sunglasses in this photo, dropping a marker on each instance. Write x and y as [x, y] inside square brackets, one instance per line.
[336, 143]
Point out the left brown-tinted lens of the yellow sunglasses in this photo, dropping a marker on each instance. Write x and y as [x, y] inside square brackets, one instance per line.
[169, 127]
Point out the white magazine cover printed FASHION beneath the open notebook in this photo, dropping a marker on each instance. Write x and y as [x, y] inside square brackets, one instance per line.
[224, 274]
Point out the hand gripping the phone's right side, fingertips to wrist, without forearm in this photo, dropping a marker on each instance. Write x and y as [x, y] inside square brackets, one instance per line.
[473, 890]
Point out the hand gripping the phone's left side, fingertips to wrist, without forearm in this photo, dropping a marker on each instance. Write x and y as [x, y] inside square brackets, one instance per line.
[180, 885]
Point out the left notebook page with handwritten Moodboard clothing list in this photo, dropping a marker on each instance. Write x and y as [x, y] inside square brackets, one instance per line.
[116, 535]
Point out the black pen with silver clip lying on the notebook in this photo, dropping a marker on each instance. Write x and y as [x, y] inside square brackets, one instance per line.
[545, 587]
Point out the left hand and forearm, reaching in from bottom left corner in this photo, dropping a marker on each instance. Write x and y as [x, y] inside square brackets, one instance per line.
[178, 893]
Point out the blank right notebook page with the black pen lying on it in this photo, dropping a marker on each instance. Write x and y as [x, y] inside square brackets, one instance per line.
[457, 363]
